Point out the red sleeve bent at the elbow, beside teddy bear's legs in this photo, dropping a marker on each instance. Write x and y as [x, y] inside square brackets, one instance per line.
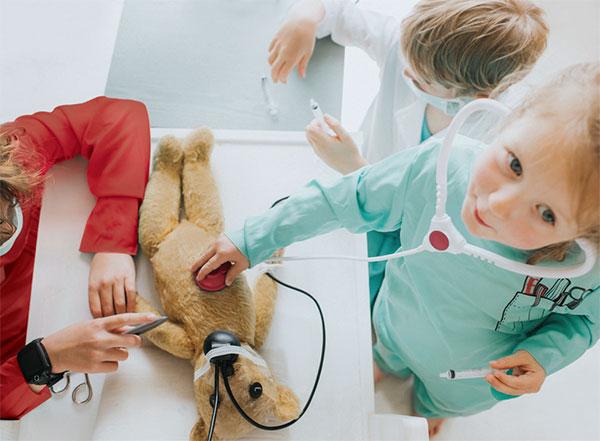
[114, 135]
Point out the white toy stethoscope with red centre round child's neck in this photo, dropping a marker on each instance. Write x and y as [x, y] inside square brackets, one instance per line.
[443, 237]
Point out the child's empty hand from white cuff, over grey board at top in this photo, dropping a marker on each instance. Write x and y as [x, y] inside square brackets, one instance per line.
[294, 43]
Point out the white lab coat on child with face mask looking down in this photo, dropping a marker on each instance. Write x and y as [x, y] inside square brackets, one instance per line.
[395, 117]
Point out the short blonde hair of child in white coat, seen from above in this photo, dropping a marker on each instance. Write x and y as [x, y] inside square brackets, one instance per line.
[474, 46]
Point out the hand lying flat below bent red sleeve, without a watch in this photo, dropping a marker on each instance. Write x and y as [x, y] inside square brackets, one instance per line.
[111, 285]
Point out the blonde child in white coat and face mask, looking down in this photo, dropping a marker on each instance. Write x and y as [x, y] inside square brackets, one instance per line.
[445, 53]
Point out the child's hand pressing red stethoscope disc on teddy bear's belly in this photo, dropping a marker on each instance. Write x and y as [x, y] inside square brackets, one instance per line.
[223, 250]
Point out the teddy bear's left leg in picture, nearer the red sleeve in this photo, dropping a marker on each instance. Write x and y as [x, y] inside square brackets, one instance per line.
[159, 213]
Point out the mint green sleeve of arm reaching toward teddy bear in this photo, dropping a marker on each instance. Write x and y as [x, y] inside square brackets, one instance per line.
[370, 199]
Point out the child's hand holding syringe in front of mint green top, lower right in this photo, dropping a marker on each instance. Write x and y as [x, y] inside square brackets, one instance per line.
[527, 374]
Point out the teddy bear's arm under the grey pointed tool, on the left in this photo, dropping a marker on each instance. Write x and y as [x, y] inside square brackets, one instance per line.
[169, 336]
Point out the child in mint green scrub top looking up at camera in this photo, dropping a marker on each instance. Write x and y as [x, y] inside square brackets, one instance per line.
[527, 196]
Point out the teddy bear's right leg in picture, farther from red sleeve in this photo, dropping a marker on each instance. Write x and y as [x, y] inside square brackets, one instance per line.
[200, 194]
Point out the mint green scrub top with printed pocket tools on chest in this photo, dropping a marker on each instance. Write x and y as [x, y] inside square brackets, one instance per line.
[437, 311]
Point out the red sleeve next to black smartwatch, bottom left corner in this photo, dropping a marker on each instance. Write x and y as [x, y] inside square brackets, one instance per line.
[17, 397]
